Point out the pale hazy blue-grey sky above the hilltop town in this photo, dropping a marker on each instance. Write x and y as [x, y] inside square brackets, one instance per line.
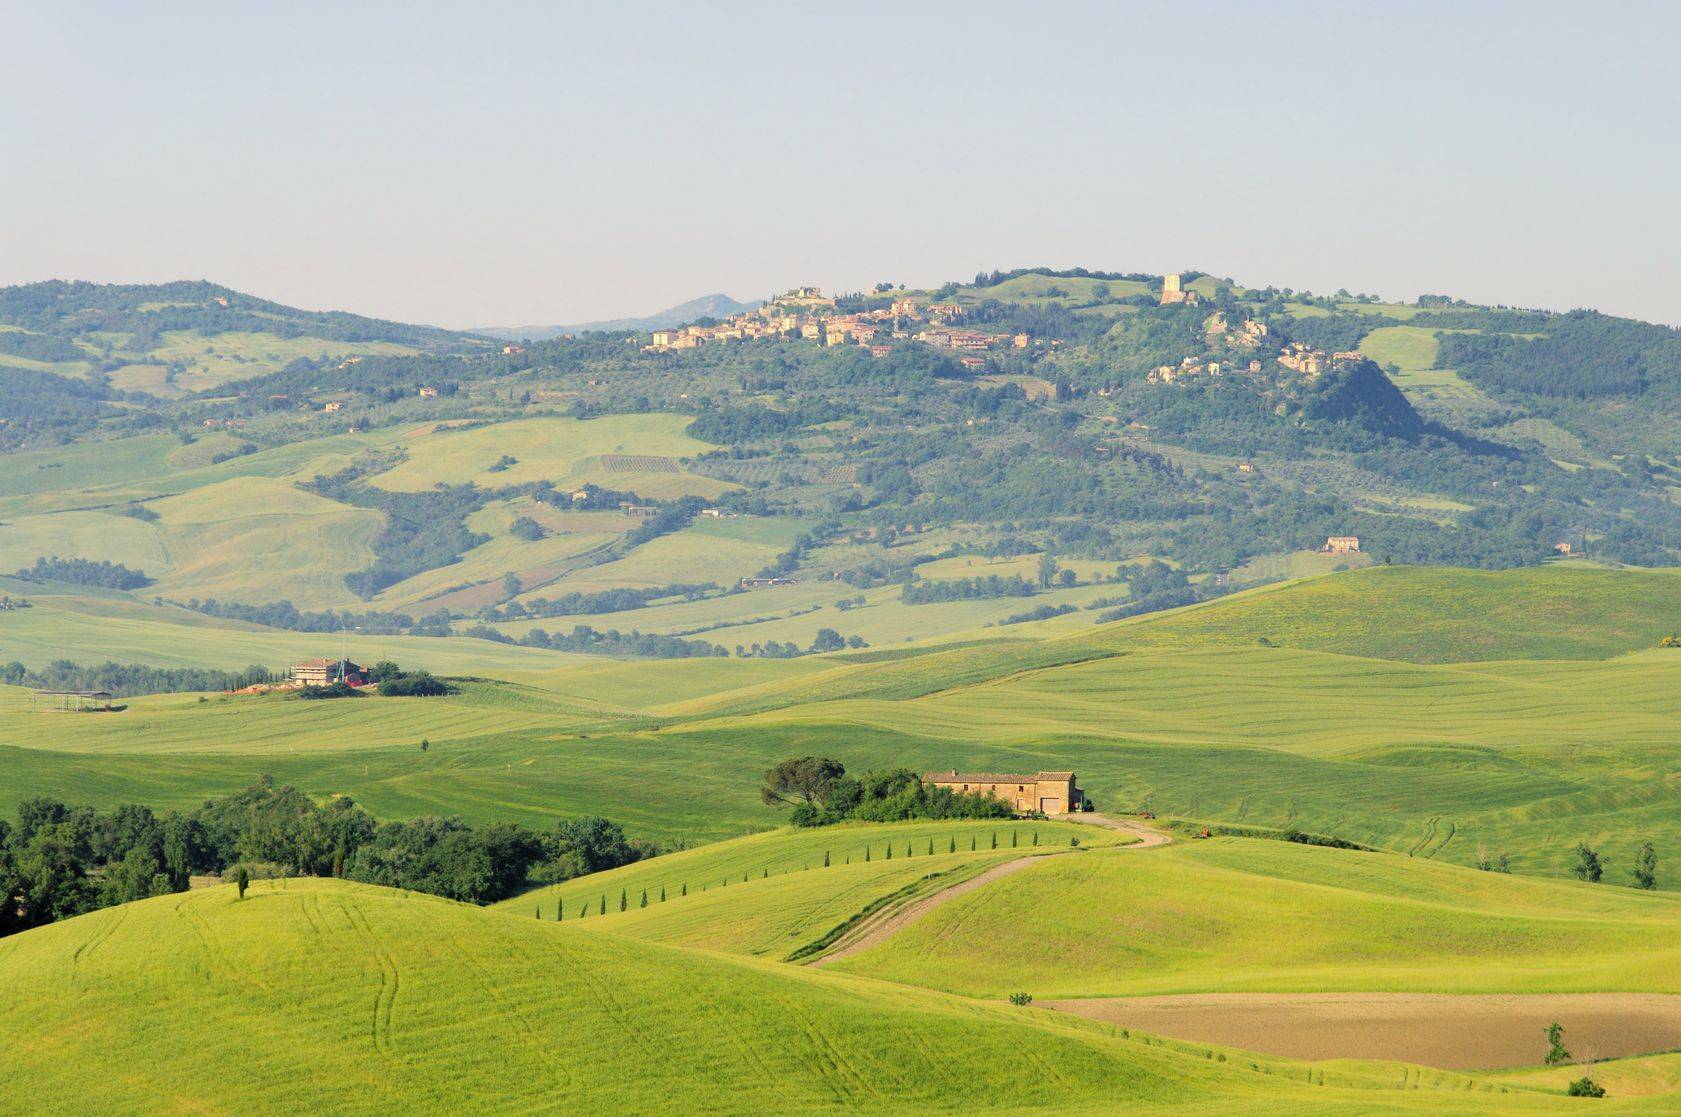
[517, 164]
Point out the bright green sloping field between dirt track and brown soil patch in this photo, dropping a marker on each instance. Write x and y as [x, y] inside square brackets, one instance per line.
[1288, 919]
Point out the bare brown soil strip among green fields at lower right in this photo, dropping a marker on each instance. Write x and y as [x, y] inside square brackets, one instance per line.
[1453, 1032]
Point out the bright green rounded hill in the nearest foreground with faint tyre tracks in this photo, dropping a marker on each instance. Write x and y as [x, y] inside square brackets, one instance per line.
[366, 1000]
